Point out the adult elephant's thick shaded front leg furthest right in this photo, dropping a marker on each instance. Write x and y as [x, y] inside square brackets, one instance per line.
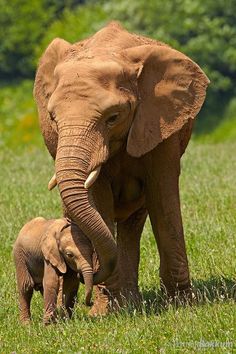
[163, 202]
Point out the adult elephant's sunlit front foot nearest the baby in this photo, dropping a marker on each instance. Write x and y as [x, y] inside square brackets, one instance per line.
[105, 302]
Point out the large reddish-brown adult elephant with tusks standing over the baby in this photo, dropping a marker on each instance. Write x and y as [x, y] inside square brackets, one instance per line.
[121, 105]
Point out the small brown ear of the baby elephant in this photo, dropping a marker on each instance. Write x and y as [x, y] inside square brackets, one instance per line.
[50, 247]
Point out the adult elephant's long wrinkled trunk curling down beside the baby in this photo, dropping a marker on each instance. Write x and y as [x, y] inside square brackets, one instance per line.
[74, 162]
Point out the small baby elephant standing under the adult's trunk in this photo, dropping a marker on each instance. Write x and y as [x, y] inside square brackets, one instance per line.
[45, 252]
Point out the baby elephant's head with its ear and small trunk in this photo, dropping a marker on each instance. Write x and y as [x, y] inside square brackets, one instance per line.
[64, 244]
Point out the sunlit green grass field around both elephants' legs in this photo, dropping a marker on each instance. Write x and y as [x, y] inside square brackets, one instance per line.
[208, 192]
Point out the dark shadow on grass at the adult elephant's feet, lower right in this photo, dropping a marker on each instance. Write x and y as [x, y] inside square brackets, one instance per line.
[212, 290]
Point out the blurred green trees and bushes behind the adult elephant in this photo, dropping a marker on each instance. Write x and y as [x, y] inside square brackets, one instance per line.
[205, 30]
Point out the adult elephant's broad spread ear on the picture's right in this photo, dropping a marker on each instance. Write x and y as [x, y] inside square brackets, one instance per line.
[171, 89]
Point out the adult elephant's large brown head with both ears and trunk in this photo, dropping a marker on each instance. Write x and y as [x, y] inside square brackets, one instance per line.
[107, 94]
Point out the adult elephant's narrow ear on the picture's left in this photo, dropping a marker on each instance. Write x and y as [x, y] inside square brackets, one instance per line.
[44, 86]
